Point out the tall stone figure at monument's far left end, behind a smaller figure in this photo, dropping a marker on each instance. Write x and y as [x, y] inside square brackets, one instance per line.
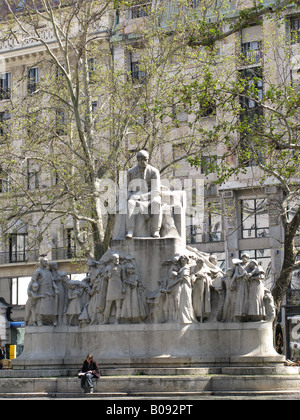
[49, 291]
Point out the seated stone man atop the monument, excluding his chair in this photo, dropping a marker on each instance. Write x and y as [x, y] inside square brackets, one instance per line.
[144, 195]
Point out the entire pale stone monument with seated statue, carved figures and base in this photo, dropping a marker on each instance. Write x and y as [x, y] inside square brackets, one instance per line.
[151, 300]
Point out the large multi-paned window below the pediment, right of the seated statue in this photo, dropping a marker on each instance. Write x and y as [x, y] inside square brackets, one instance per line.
[255, 218]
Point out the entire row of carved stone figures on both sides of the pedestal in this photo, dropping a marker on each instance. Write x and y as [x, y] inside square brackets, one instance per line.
[112, 291]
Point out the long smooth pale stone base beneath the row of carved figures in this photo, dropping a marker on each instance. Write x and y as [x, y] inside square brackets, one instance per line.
[150, 345]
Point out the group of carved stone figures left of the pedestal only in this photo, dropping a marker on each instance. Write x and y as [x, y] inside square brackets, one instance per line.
[108, 289]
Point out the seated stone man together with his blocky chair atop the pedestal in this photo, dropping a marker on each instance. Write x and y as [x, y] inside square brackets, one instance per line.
[148, 206]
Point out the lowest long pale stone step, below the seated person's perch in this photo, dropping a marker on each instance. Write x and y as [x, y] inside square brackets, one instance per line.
[133, 385]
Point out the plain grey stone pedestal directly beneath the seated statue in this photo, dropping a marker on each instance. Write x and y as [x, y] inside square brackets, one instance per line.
[149, 254]
